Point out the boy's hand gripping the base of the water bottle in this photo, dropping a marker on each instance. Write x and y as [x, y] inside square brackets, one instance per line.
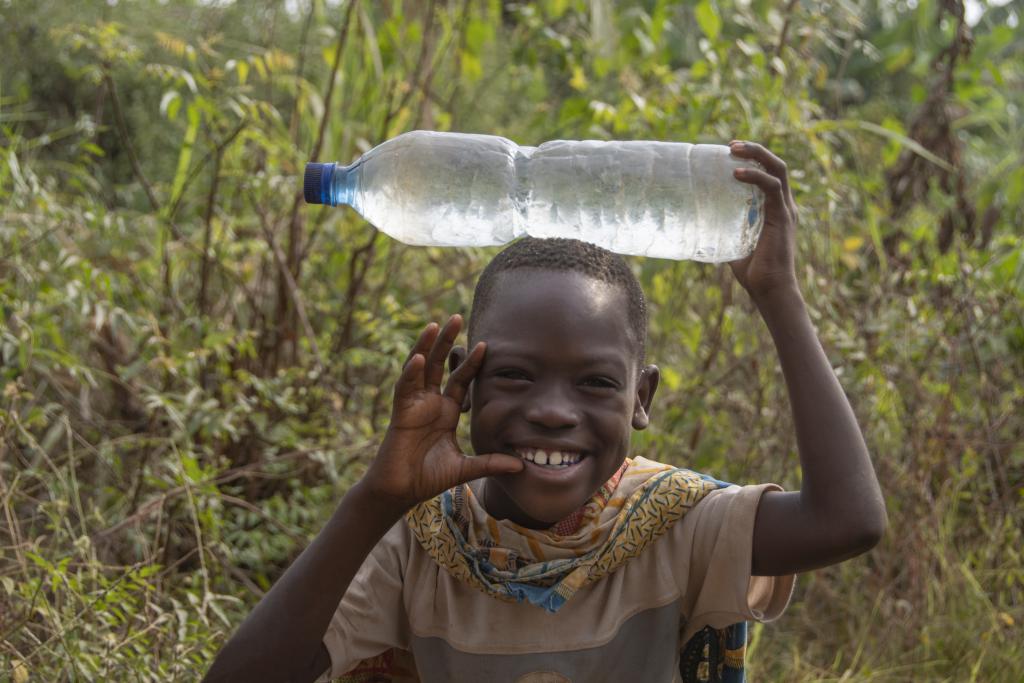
[773, 265]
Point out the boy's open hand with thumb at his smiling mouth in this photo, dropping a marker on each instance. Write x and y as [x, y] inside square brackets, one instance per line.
[420, 457]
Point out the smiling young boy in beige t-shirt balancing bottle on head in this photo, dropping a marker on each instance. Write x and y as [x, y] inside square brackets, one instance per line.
[549, 556]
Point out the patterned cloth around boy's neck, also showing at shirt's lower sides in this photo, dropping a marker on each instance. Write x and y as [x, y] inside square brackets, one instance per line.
[547, 568]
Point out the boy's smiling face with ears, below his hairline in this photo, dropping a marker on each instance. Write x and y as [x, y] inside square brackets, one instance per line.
[562, 376]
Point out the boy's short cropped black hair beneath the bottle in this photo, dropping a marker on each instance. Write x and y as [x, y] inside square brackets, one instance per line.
[566, 255]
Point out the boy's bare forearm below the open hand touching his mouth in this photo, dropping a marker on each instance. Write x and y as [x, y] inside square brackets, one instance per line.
[282, 637]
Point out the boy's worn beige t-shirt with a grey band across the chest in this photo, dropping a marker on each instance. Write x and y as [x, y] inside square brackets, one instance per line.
[627, 626]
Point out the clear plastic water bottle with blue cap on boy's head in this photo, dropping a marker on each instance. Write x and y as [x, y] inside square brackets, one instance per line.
[668, 200]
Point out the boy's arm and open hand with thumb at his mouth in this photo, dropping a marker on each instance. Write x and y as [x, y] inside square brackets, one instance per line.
[282, 639]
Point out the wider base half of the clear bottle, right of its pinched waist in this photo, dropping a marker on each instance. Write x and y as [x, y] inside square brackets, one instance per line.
[669, 200]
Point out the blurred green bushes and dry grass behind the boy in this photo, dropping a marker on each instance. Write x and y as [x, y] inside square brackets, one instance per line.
[195, 365]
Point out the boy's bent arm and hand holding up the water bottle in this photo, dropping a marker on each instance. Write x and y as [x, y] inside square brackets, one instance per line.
[839, 513]
